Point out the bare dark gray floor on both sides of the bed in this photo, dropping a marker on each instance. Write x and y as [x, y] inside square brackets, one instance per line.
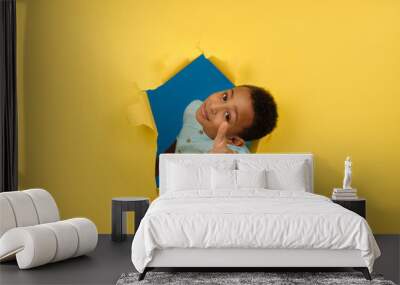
[111, 259]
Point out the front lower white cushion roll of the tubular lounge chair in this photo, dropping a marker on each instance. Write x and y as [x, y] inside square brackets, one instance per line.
[40, 244]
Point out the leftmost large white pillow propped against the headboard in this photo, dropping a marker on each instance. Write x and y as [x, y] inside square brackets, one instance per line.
[181, 177]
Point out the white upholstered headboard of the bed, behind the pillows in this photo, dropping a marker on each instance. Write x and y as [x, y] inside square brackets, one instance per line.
[210, 158]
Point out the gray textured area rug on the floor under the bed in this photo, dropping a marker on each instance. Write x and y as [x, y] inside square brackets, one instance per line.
[232, 278]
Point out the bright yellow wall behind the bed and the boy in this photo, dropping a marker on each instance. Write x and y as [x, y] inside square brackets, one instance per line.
[333, 66]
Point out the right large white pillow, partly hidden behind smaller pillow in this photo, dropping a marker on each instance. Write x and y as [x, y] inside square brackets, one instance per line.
[282, 174]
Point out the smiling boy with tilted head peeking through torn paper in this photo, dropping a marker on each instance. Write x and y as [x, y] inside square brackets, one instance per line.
[226, 120]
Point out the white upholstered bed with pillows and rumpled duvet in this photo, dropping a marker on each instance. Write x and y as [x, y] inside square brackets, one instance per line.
[247, 211]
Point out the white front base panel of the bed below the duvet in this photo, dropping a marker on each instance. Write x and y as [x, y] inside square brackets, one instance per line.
[192, 257]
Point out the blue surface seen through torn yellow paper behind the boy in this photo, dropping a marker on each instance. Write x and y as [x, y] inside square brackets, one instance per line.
[197, 80]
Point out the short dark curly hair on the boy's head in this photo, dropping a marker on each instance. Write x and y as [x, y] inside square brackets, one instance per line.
[265, 114]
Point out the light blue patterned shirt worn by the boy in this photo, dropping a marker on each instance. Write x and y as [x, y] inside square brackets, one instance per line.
[192, 138]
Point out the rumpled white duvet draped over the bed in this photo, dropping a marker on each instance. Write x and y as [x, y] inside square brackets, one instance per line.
[251, 218]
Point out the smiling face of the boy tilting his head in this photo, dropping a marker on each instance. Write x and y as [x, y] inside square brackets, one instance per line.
[233, 106]
